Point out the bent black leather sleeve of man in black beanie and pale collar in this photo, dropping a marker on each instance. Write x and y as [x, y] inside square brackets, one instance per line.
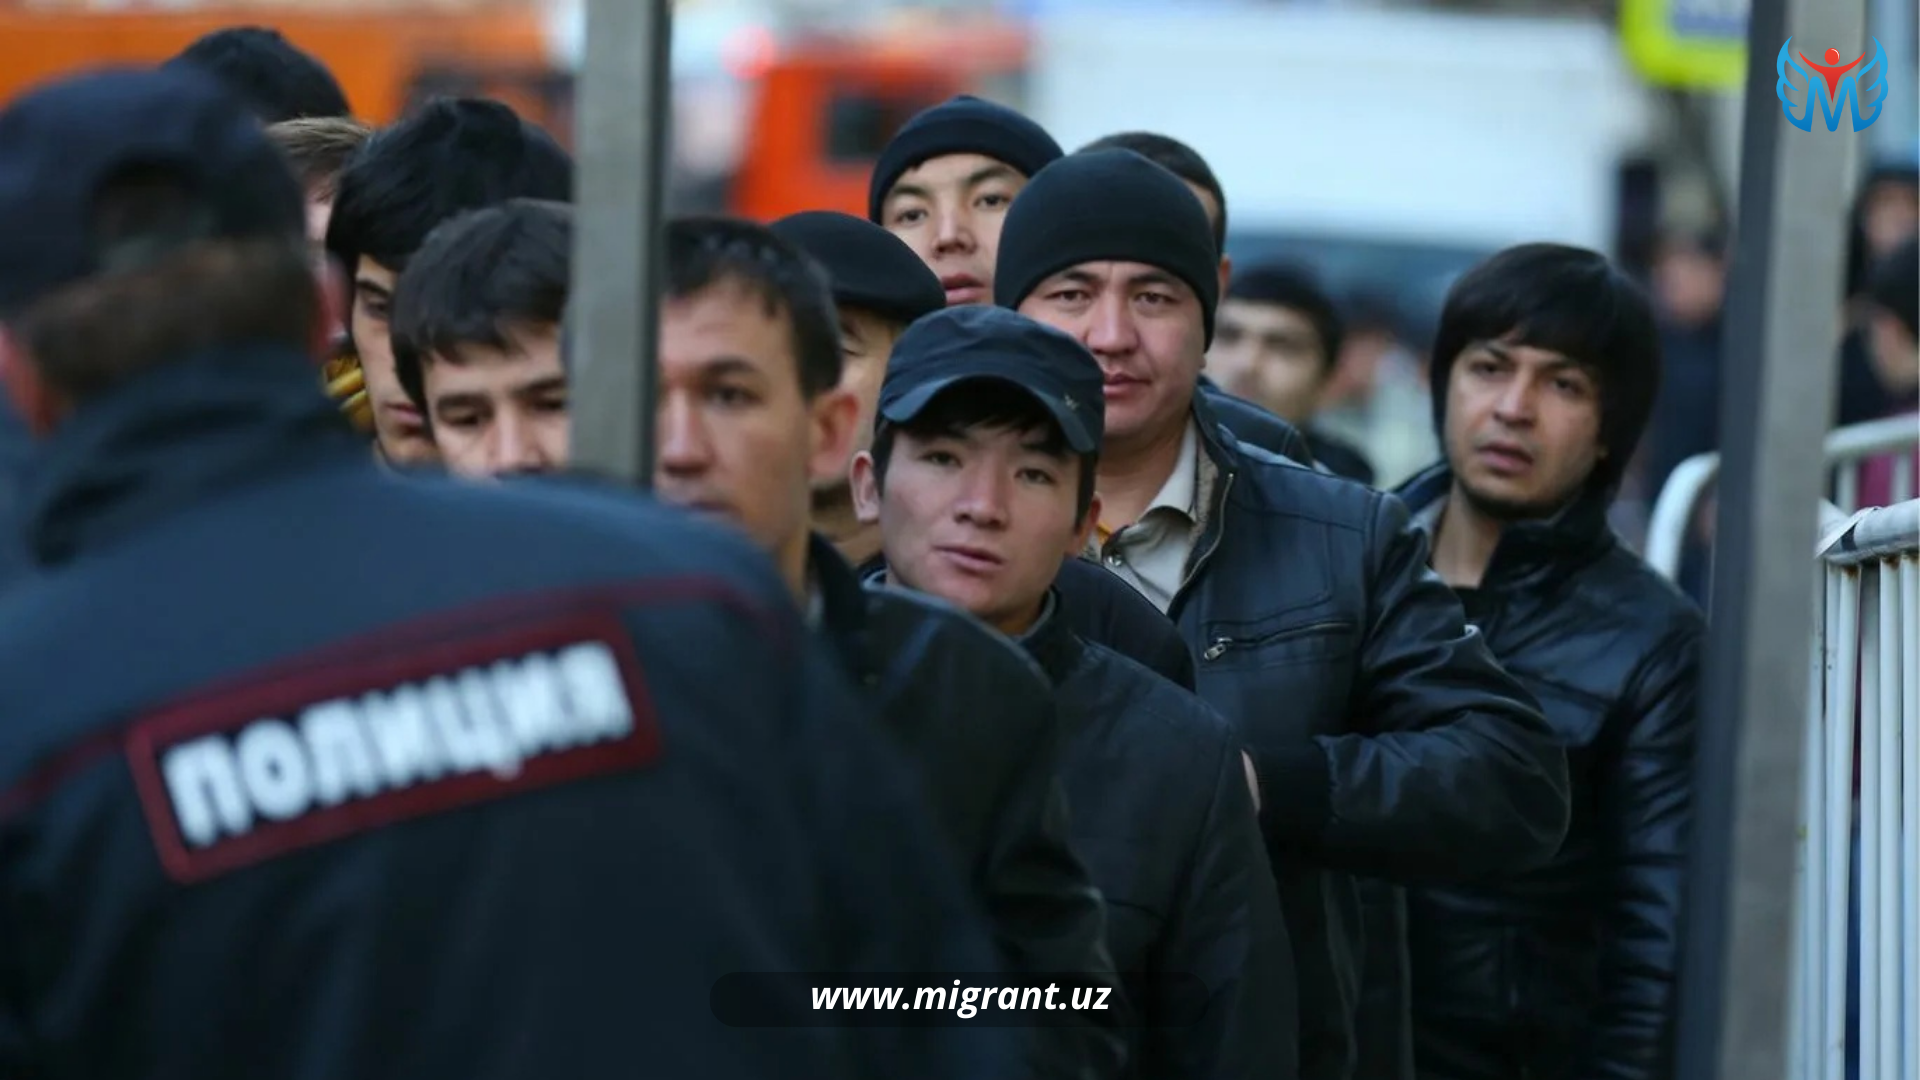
[1449, 772]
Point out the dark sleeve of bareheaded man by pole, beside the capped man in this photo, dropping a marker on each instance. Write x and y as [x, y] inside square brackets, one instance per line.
[1049, 914]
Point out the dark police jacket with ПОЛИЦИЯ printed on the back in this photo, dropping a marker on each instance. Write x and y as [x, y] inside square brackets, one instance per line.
[310, 770]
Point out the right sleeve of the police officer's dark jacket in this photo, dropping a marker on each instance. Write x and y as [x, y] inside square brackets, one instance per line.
[894, 896]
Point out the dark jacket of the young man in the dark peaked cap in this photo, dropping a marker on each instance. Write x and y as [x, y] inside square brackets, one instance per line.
[1164, 822]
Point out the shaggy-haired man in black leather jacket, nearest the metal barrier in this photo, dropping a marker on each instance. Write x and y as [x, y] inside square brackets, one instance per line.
[1545, 370]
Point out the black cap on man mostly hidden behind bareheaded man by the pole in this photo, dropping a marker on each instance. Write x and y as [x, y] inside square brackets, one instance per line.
[869, 266]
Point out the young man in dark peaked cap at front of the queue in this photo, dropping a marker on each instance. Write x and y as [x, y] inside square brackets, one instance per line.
[982, 479]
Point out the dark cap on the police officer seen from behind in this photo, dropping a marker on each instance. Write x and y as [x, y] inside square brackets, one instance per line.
[66, 141]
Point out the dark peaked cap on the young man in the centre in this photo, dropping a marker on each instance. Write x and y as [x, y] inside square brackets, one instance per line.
[976, 341]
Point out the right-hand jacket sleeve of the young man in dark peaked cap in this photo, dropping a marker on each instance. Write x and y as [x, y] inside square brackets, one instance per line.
[1226, 968]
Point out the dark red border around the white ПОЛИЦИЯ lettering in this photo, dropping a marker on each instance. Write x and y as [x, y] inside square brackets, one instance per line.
[347, 677]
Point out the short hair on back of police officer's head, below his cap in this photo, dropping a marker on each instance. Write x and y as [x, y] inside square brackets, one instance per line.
[97, 333]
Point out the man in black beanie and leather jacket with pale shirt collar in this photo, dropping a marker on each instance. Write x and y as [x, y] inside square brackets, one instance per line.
[1385, 737]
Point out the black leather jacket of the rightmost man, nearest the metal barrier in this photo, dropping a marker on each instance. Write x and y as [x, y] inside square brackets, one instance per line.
[1568, 971]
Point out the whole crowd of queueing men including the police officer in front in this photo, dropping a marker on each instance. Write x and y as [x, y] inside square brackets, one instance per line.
[990, 616]
